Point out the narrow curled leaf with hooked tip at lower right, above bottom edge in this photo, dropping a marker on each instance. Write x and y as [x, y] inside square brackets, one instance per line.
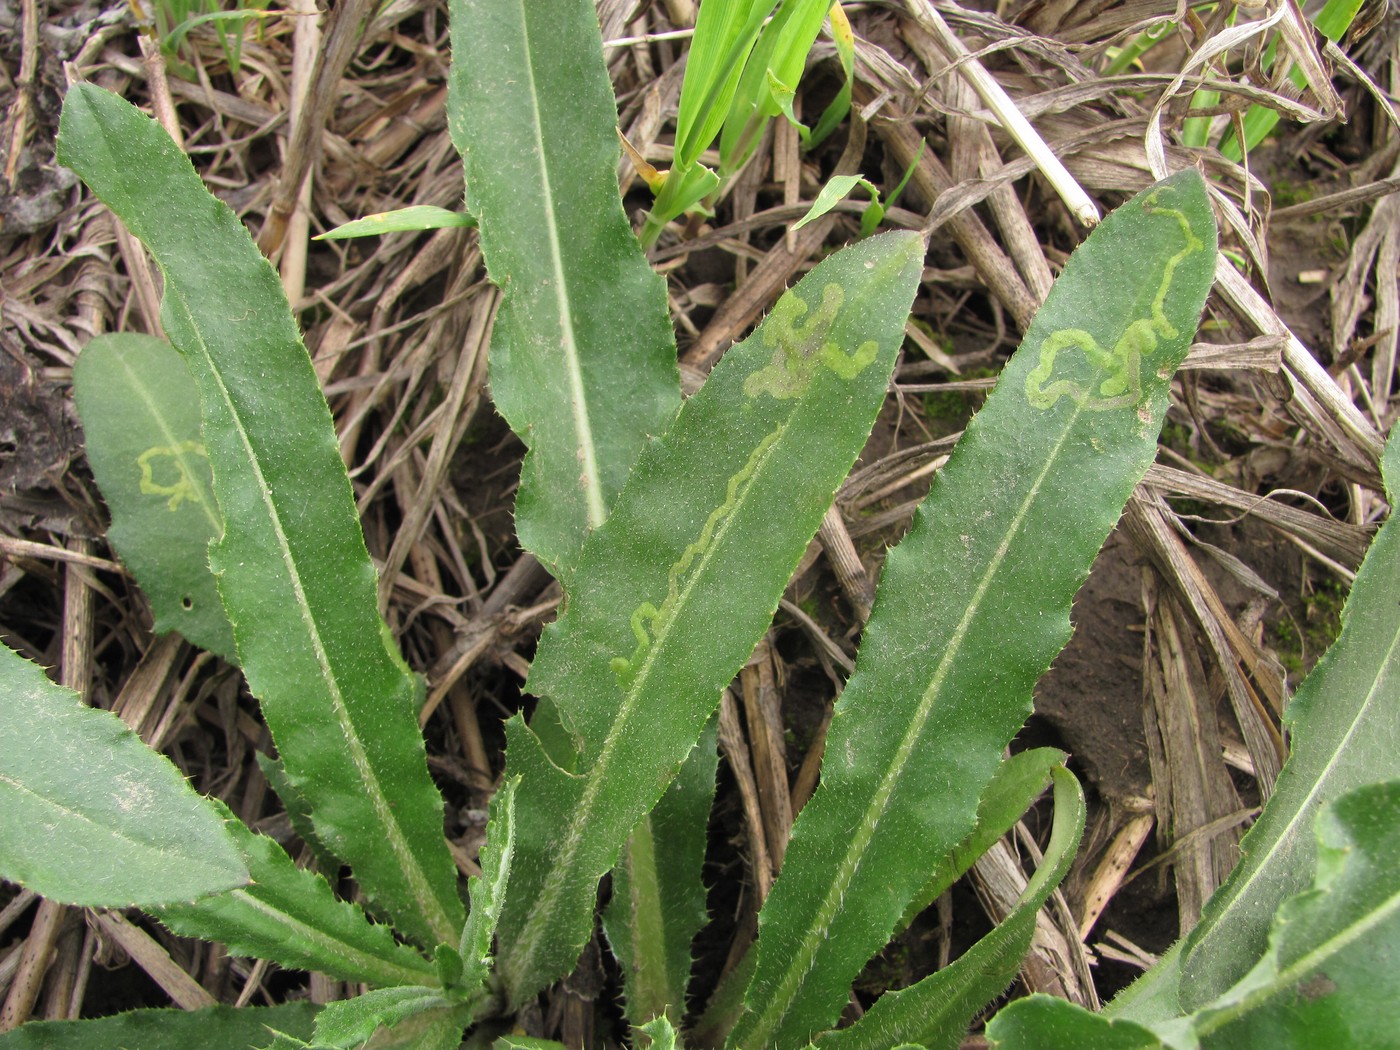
[937, 1011]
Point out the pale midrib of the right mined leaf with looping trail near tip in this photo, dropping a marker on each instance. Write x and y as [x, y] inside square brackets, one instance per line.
[797, 972]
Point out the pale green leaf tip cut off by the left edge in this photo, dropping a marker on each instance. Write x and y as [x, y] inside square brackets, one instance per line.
[89, 814]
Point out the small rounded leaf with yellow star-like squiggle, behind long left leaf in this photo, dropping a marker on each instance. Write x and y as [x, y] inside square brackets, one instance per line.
[141, 416]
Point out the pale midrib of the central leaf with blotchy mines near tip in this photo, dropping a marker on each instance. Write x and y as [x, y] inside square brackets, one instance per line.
[559, 876]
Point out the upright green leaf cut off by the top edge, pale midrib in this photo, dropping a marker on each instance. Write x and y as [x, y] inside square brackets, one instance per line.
[583, 356]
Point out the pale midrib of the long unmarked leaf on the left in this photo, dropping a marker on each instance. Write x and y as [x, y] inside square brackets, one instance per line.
[428, 902]
